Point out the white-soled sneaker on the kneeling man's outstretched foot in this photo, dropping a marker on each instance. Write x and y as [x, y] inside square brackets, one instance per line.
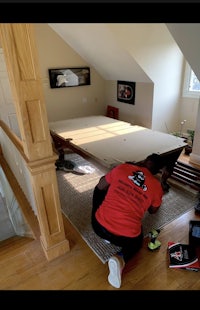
[116, 266]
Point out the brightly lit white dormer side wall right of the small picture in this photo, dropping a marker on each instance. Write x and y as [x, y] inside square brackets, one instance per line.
[154, 49]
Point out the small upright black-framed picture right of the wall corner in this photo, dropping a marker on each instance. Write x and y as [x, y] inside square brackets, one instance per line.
[126, 92]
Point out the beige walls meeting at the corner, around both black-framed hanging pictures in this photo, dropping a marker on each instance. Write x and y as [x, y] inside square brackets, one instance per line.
[63, 103]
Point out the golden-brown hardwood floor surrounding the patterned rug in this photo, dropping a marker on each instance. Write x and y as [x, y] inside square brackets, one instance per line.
[24, 266]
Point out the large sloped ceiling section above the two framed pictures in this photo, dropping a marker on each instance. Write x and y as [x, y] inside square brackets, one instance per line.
[96, 44]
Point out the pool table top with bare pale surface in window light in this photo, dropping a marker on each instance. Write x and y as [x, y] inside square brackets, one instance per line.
[110, 141]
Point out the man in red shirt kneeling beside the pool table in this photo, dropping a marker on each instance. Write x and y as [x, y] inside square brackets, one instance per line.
[120, 200]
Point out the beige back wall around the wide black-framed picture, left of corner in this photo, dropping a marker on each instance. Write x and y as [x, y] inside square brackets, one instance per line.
[68, 102]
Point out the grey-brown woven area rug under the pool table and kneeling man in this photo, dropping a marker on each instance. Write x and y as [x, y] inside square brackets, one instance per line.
[76, 190]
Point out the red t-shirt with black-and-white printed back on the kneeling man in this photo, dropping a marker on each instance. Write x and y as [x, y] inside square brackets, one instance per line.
[132, 191]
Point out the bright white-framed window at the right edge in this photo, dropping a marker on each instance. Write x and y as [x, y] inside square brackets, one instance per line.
[191, 86]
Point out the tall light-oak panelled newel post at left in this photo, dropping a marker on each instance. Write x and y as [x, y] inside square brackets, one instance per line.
[18, 42]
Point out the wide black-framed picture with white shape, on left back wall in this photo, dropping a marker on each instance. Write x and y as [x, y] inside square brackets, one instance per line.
[69, 77]
